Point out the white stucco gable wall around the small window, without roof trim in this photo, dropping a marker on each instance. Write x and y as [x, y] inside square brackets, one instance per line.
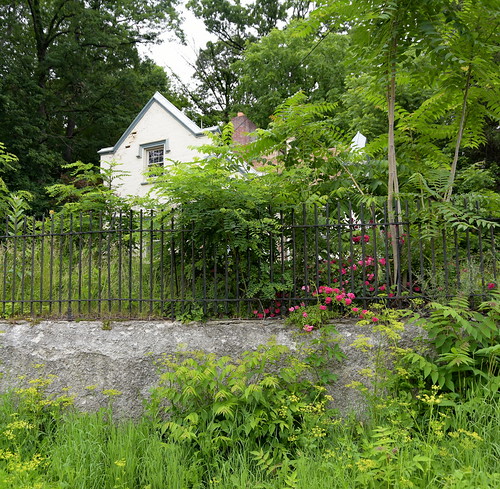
[155, 125]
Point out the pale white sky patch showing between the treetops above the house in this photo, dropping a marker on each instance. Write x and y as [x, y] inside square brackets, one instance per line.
[172, 55]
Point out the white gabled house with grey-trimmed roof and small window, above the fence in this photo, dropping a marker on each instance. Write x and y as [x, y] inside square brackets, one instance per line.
[160, 133]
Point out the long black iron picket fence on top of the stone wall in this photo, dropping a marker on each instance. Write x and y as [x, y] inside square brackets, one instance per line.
[141, 264]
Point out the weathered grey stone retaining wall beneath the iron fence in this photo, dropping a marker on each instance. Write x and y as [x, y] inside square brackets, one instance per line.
[88, 357]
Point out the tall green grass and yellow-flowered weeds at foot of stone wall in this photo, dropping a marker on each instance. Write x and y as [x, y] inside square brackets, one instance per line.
[421, 444]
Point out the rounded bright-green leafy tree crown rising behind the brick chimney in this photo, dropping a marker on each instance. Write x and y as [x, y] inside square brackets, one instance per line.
[283, 63]
